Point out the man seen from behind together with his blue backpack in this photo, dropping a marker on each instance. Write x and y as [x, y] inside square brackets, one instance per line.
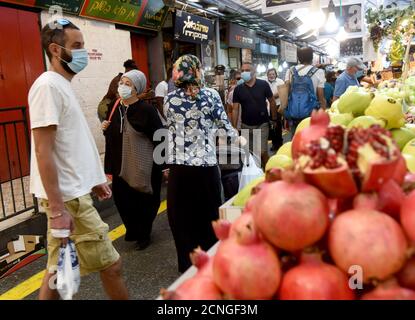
[306, 85]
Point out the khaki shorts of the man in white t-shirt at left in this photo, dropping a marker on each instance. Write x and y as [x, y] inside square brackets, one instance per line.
[90, 235]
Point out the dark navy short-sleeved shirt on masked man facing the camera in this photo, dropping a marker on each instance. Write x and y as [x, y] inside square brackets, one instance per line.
[253, 101]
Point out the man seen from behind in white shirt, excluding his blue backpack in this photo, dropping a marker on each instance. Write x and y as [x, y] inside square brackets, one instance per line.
[318, 78]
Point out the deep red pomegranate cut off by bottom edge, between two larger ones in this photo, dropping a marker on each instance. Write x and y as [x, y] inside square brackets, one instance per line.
[314, 279]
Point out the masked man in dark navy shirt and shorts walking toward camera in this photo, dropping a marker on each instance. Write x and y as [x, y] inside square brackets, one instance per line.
[251, 99]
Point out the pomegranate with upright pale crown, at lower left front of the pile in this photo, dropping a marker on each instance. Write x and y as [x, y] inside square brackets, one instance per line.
[246, 267]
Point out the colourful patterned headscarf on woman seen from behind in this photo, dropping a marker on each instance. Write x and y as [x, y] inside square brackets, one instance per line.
[187, 72]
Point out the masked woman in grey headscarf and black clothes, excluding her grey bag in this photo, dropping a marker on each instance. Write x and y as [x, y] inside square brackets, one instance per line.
[137, 209]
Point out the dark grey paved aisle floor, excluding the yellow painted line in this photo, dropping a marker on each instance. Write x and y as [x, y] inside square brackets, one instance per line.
[145, 271]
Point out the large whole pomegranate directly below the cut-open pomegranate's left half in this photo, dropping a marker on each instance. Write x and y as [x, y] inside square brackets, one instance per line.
[291, 215]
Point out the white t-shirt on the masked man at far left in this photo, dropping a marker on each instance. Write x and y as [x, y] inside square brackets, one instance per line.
[53, 102]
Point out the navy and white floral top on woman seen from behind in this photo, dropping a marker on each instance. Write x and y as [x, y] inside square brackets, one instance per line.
[192, 126]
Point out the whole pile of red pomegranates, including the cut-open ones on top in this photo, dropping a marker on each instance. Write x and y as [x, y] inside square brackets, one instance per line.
[338, 225]
